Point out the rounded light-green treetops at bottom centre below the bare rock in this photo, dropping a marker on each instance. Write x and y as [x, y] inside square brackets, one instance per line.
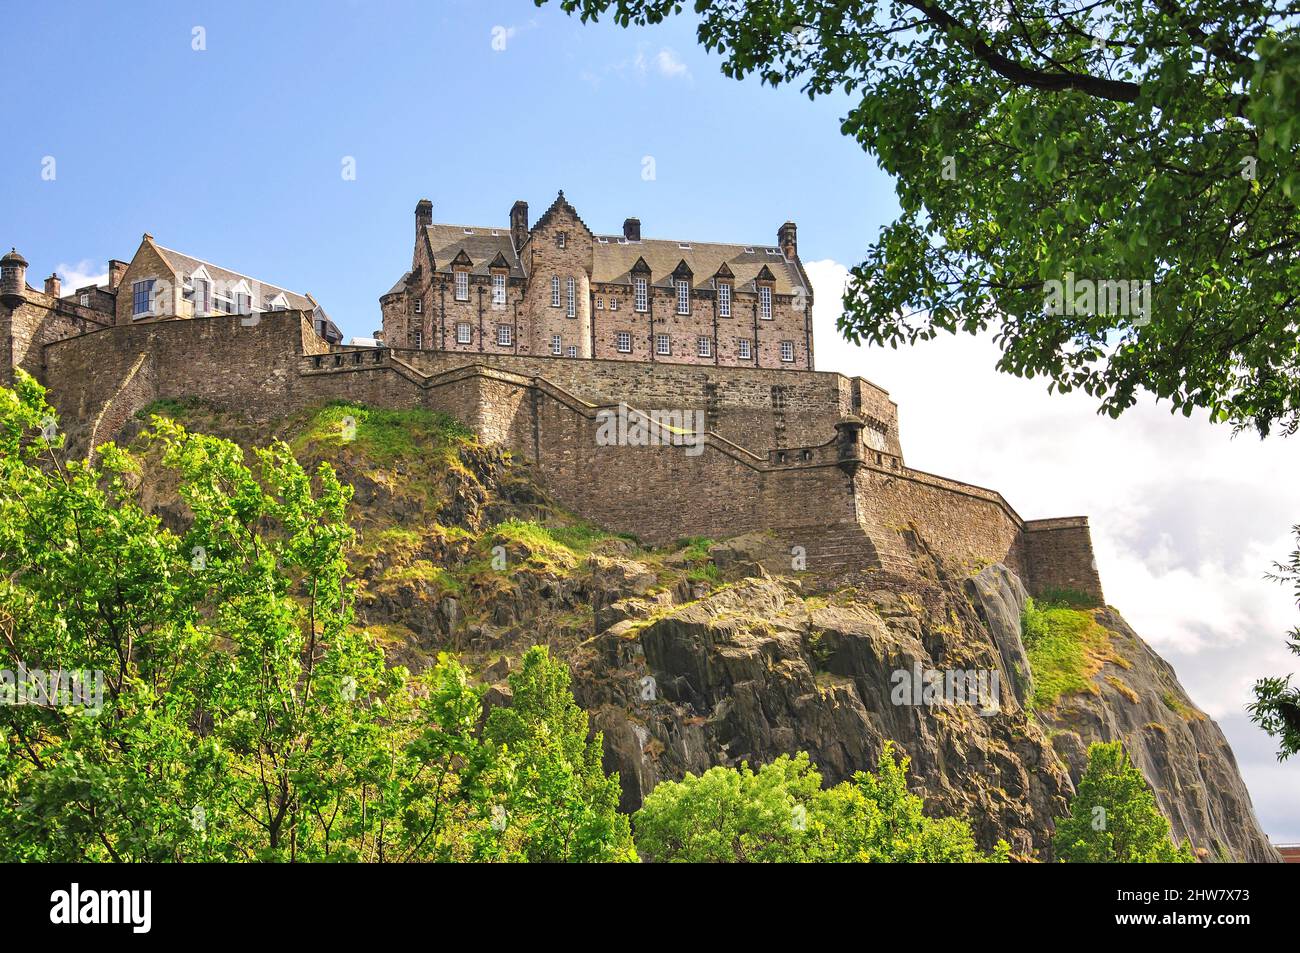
[781, 815]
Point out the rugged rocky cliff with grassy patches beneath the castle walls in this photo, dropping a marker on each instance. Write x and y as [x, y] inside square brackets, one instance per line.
[717, 652]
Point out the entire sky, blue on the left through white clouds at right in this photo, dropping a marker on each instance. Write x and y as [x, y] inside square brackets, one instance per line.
[235, 155]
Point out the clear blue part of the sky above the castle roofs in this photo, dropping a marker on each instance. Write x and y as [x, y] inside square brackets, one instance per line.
[235, 154]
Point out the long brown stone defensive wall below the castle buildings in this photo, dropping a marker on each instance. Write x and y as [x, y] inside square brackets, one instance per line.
[813, 457]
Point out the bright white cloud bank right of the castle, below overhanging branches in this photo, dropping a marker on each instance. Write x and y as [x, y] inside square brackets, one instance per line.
[1185, 518]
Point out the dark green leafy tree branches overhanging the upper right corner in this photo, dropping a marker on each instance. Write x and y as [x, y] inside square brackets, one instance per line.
[1095, 145]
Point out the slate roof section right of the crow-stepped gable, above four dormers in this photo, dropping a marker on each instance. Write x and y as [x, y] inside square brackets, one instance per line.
[616, 259]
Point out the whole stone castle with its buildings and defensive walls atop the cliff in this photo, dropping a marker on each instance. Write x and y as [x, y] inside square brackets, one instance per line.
[534, 336]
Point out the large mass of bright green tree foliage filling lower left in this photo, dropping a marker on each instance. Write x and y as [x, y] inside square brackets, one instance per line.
[245, 716]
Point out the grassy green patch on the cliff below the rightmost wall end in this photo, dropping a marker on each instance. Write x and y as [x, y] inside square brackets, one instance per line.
[1067, 648]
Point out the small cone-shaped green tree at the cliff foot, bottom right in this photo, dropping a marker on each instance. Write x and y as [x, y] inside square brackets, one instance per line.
[1113, 816]
